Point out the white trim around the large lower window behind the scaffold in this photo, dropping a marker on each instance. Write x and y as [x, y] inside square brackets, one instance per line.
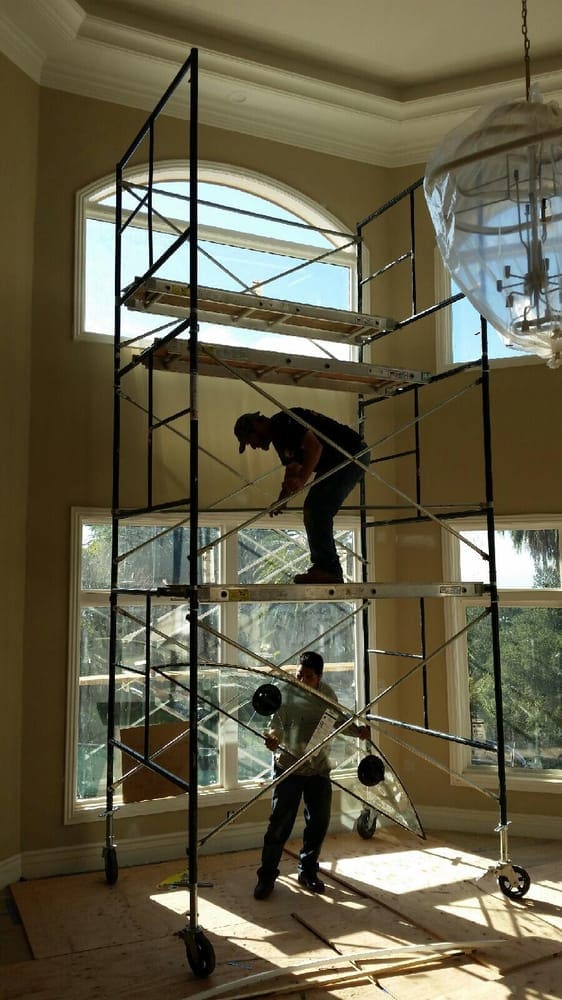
[89, 810]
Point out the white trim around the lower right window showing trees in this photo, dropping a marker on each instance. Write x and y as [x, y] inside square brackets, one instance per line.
[456, 659]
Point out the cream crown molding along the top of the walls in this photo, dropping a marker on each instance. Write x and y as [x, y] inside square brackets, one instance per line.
[63, 48]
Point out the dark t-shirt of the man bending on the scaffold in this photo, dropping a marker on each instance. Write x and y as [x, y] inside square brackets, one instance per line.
[287, 436]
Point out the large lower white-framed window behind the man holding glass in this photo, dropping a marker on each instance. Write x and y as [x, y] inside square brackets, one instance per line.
[231, 756]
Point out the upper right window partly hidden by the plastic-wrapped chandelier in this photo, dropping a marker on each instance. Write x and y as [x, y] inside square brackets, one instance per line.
[459, 329]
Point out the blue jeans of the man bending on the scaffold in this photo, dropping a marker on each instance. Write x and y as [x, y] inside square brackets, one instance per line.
[320, 507]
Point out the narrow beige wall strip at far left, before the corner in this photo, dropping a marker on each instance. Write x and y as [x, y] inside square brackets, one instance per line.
[19, 100]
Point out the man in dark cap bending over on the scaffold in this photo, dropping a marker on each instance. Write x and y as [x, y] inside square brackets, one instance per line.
[308, 443]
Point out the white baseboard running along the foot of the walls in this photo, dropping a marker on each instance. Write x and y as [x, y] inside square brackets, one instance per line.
[240, 837]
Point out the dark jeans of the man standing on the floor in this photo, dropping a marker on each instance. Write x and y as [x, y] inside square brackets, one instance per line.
[316, 793]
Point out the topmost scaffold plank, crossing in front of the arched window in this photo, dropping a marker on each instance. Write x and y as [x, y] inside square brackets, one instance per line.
[253, 312]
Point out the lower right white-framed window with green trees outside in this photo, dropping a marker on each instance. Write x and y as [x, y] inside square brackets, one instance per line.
[528, 562]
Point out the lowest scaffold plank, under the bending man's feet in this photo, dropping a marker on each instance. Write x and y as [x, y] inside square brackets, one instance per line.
[214, 593]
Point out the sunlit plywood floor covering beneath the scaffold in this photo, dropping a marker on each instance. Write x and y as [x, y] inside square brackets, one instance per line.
[89, 940]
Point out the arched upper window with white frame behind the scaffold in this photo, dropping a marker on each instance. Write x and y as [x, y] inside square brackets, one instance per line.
[255, 236]
